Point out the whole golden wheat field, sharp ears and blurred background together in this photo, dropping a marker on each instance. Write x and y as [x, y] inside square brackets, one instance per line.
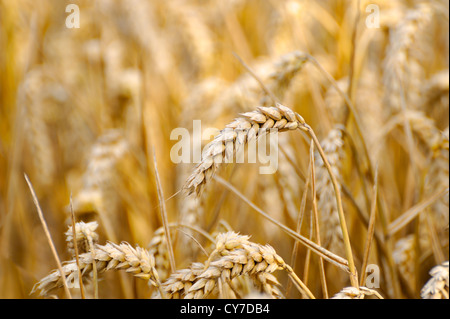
[87, 114]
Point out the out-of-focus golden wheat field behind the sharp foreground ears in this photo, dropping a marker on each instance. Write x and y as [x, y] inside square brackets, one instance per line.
[83, 110]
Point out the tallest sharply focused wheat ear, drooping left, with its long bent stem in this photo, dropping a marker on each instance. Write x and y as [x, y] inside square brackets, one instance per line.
[250, 126]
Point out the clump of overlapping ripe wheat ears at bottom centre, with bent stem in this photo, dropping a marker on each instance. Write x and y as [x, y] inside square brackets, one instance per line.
[238, 257]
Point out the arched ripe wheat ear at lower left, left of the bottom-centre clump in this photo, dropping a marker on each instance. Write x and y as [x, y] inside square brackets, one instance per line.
[136, 261]
